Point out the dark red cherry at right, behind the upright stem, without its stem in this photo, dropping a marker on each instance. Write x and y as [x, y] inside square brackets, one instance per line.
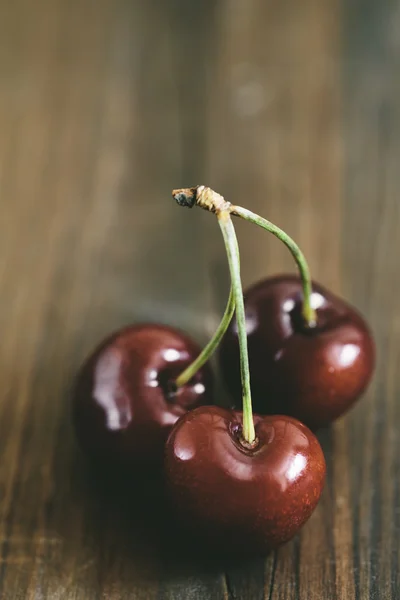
[314, 375]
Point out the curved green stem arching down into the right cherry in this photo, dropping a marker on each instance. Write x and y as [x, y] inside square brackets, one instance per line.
[308, 313]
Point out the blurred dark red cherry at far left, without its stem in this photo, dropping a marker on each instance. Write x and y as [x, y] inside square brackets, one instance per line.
[124, 404]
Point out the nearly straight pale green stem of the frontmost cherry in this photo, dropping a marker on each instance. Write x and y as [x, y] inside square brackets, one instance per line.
[232, 251]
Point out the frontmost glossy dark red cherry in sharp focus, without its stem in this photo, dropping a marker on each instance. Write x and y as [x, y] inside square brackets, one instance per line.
[243, 500]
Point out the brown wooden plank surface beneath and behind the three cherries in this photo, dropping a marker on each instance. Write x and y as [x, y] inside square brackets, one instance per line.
[291, 108]
